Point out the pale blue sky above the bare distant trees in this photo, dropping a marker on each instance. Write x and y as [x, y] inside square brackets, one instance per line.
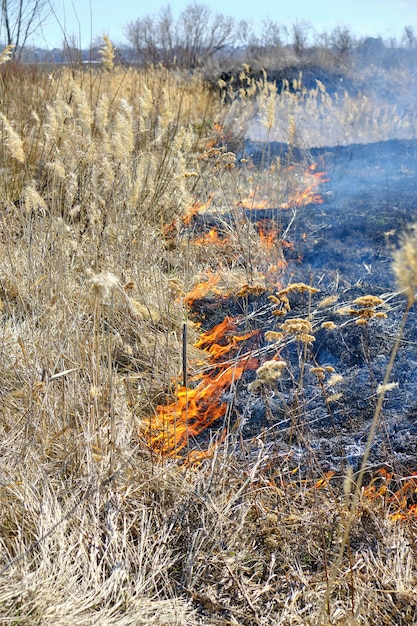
[89, 19]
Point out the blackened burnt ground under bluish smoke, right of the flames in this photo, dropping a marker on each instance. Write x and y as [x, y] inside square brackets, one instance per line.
[345, 247]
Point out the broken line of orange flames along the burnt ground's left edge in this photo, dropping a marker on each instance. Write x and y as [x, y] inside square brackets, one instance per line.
[200, 403]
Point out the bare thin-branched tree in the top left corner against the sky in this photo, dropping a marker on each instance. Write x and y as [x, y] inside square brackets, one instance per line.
[20, 19]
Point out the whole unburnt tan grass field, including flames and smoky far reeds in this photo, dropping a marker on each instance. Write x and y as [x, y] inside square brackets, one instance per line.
[122, 500]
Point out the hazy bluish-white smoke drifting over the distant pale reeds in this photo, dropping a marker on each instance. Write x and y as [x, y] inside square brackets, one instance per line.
[372, 98]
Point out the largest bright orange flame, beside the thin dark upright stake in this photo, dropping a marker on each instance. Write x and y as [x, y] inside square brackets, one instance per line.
[196, 408]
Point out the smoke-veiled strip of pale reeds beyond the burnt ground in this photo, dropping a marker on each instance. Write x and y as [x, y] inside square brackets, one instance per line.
[314, 117]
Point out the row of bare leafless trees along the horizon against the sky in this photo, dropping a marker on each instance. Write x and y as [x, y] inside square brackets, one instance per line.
[196, 37]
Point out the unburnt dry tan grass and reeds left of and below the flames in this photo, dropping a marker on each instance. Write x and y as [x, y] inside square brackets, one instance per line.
[93, 528]
